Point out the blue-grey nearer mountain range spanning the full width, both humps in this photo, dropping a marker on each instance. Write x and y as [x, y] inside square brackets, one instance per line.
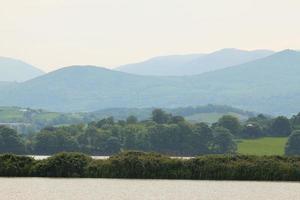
[268, 85]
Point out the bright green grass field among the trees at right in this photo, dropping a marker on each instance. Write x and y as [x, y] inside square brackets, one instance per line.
[262, 146]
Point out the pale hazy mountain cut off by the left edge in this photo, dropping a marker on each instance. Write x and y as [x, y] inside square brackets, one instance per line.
[17, 70]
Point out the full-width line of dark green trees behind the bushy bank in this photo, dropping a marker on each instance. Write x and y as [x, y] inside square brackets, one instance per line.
[163, 132]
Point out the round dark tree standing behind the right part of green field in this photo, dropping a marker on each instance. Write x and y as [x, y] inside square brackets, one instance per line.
[281, 127]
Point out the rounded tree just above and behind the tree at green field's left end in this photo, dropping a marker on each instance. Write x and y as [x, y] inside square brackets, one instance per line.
[231, 123]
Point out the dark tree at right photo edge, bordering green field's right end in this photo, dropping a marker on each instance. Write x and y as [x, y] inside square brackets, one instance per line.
[292, 147]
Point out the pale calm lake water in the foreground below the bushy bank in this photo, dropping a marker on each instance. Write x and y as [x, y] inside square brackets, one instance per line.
[117, 189]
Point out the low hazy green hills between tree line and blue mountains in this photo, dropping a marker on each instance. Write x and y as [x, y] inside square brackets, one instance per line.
[27, 120]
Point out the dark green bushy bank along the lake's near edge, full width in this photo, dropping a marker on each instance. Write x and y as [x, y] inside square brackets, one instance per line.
[155, 166]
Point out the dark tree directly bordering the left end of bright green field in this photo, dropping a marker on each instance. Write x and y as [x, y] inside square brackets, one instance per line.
[223, 141]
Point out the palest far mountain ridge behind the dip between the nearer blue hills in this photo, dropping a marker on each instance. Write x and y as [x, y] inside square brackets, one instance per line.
[178, 65]
